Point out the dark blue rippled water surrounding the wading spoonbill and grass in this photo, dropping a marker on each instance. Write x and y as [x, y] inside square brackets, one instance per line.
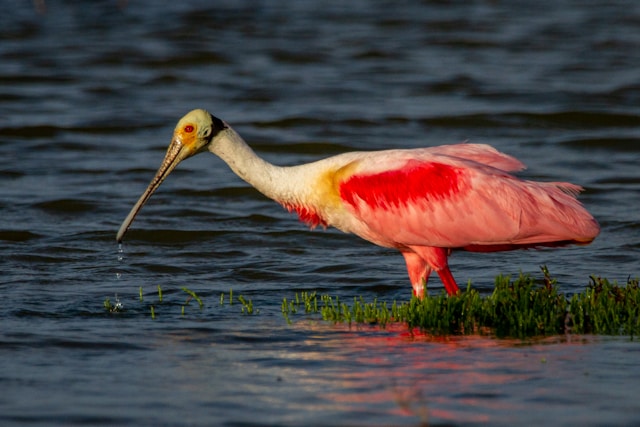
[89, 95]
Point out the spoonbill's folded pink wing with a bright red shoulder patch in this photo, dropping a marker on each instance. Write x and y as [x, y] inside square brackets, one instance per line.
[457, 197]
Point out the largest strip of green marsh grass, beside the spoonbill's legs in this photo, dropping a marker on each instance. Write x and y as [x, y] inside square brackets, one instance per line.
[519, 308]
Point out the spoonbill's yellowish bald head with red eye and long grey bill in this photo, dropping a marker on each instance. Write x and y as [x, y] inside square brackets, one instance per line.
[192, 135]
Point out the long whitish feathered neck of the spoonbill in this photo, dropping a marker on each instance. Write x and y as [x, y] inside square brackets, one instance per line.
[267, 178]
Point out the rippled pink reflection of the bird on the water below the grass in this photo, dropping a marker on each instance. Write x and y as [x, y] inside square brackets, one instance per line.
[466, 379]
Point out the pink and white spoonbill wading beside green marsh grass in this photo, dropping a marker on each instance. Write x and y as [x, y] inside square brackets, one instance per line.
[424, 202]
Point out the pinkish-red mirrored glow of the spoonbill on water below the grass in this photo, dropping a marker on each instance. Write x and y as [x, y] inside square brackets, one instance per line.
[462, 379]
